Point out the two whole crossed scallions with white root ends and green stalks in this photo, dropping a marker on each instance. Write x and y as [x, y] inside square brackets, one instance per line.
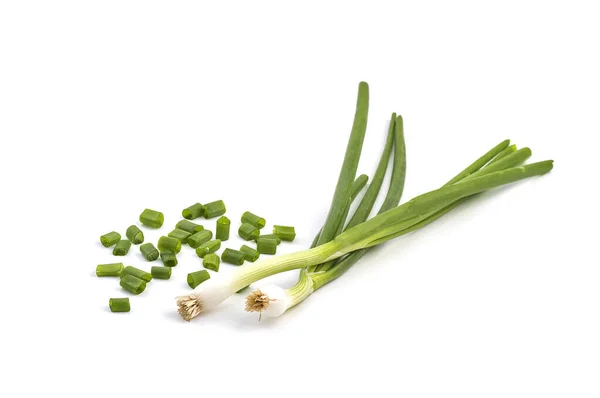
[341, 242]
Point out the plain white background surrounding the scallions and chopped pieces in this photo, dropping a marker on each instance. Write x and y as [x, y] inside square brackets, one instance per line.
[110, 107]
